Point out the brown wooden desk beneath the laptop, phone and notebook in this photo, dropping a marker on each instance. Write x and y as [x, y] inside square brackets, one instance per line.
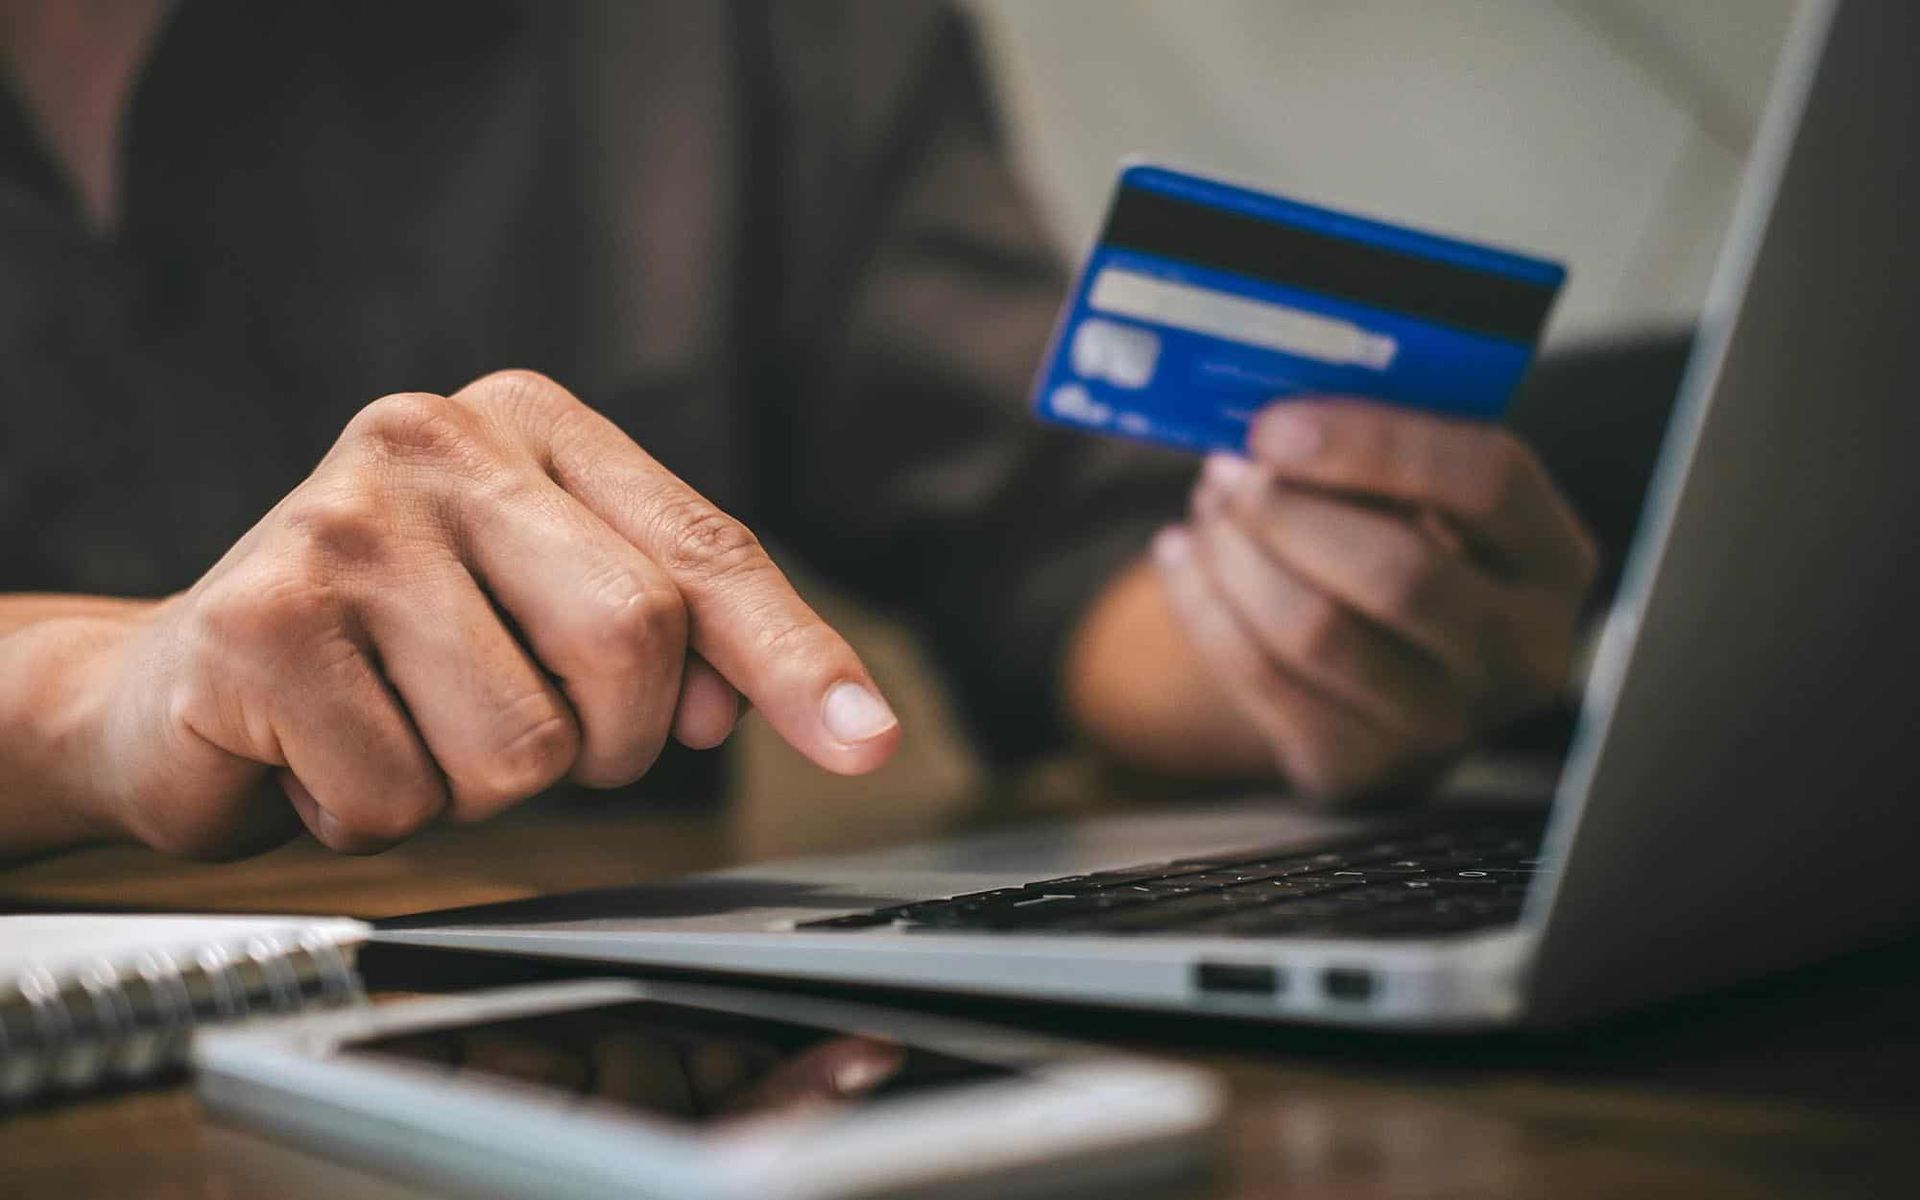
[1794, 1088]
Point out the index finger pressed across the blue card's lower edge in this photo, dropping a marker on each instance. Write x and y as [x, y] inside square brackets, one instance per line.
[1479, 475]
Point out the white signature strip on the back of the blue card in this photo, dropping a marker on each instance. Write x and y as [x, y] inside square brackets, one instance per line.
[1239, 320]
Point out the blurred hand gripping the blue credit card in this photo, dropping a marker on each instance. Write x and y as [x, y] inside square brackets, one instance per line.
[1376, 587]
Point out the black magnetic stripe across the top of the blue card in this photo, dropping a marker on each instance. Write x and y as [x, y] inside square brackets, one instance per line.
[1297, 258]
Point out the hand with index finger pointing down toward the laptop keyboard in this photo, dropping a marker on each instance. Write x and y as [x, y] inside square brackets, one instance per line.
[469, 600]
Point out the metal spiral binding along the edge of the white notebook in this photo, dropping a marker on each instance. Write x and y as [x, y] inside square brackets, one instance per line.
[101, 1026]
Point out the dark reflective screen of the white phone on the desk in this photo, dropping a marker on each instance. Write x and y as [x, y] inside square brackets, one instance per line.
[690, 1065]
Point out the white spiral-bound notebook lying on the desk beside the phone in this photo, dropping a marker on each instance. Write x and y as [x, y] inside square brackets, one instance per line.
[95, 1001]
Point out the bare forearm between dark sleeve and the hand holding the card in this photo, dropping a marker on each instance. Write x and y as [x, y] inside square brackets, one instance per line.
[1138, 688]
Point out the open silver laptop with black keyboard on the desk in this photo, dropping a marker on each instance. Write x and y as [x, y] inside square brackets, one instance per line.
[1744, 788]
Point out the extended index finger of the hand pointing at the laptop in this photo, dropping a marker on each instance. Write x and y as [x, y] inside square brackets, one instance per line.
[744, 617]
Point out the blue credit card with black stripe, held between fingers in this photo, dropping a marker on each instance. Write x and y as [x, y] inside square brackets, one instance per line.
[1205, 302]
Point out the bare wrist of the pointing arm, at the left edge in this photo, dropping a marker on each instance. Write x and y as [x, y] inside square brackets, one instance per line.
[55, 654]
